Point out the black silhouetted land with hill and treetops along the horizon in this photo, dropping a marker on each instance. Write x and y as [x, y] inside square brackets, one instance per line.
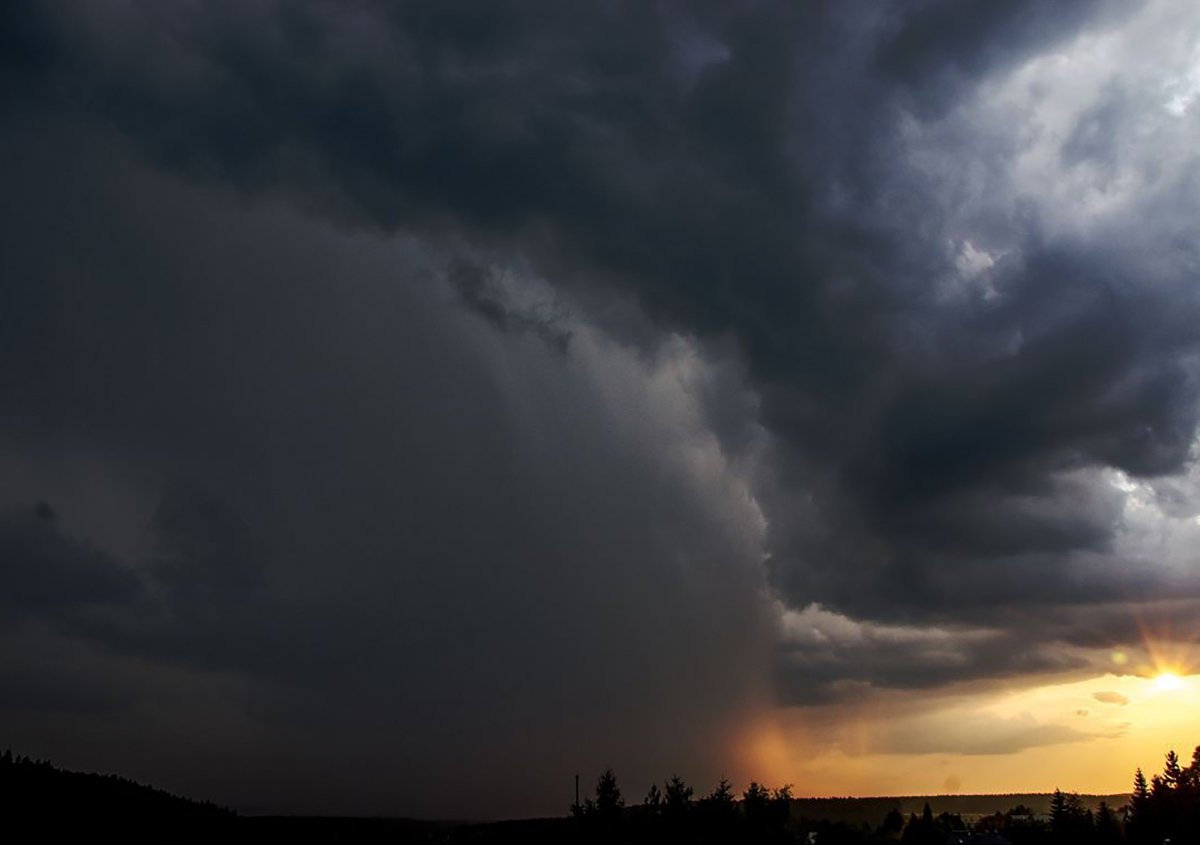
[1163, 810]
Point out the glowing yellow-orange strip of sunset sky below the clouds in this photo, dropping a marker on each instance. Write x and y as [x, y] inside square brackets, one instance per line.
[1082, 736]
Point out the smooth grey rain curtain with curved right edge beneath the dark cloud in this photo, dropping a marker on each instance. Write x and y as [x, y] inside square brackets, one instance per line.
[344, 508]
